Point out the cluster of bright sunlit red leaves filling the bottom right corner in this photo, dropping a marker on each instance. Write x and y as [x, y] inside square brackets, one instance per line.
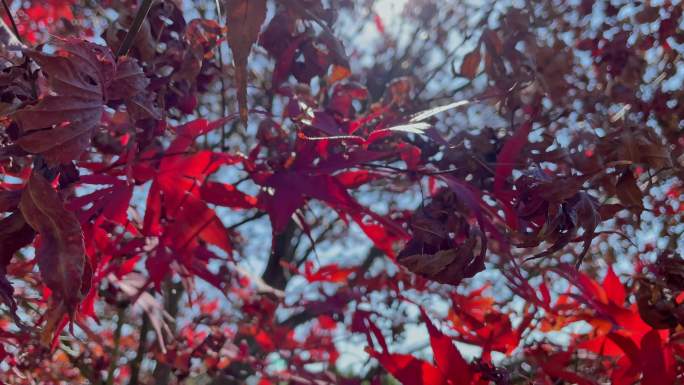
[618, 346]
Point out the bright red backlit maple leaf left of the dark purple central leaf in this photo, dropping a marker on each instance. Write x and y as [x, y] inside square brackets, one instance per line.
[177, 211]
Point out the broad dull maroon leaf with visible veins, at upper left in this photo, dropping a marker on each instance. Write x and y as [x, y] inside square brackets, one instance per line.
[82, 77]
